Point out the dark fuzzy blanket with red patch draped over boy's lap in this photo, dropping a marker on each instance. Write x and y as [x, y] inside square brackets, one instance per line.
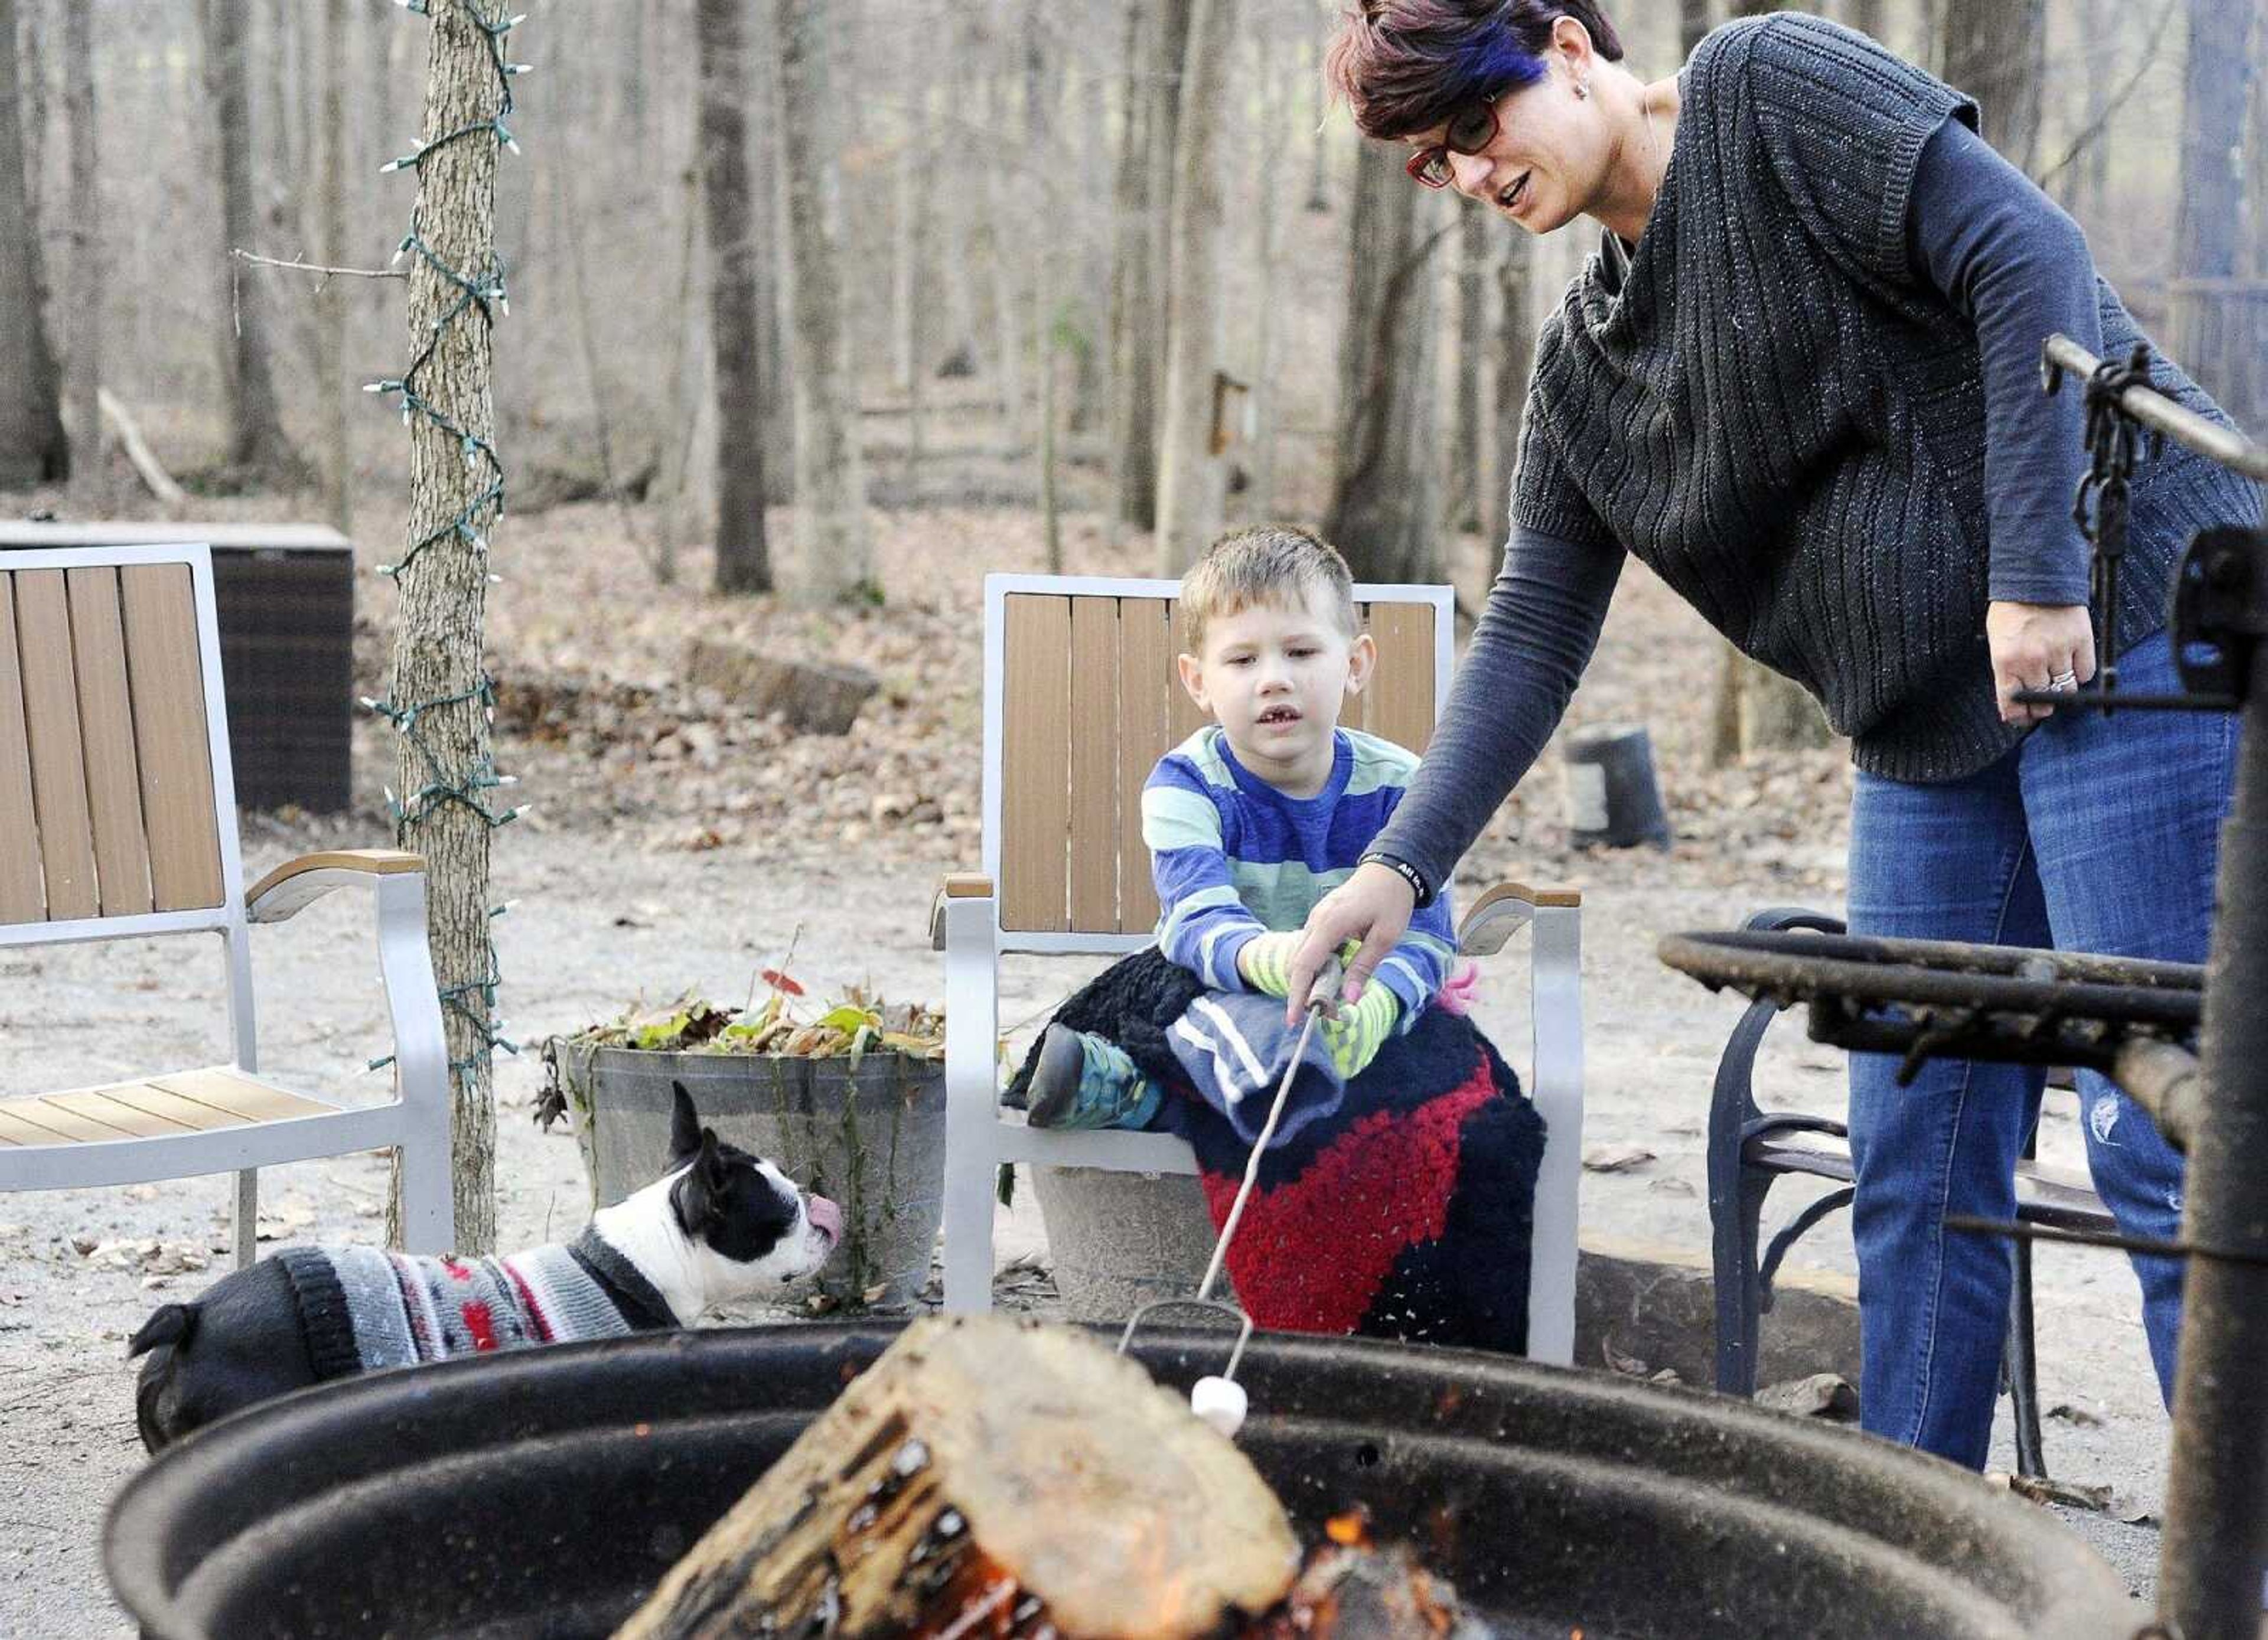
[1405, 1215]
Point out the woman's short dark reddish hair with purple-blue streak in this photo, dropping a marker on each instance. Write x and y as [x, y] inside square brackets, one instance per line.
[1410, 65]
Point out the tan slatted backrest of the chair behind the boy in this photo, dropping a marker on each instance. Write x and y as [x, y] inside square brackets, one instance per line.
[1083, 700]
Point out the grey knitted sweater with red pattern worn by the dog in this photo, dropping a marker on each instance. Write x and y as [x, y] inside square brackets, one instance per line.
[366, 1308]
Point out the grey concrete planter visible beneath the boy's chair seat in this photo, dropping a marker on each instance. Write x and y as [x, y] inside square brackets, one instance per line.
[1124, 1240]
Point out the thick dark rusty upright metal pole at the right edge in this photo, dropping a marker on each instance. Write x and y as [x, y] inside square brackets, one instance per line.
[2217, 1494]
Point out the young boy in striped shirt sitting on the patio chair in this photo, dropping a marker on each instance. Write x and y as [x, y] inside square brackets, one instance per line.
[1249, 825]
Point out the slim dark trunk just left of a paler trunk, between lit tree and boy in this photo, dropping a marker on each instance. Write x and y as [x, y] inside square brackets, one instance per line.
[743, 552]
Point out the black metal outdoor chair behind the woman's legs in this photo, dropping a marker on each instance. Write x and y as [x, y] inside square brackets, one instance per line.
[1750, 1149]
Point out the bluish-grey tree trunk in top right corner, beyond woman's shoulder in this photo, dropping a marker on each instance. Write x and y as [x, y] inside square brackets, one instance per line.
[2215, 330]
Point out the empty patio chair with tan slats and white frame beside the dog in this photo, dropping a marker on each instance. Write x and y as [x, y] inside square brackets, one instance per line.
[119, 820]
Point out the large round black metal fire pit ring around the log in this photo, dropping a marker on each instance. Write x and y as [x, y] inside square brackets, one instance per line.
[545, 1494]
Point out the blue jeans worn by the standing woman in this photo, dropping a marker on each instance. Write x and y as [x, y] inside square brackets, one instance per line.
[2092, 836]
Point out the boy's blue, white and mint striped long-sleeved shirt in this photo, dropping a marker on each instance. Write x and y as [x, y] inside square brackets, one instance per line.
[1235, 856]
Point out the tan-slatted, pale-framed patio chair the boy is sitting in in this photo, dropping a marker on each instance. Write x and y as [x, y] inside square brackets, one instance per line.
[1081, 700]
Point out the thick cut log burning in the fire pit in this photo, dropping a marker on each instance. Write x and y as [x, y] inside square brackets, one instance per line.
[990, 1478]
